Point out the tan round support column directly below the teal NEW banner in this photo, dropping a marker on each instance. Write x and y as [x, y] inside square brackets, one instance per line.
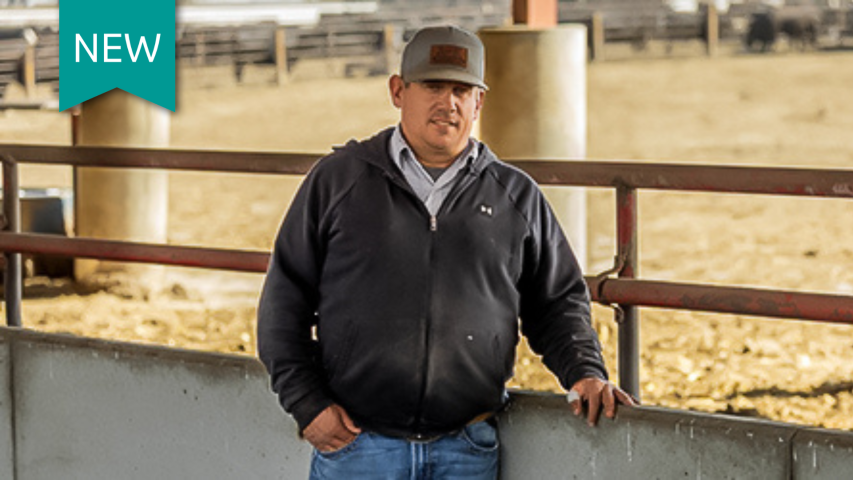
[121, 204]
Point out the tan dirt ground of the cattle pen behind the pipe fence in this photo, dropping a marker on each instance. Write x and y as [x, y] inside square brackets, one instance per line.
[784, 109]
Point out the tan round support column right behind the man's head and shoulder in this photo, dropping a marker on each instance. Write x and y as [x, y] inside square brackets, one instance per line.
[536, 107]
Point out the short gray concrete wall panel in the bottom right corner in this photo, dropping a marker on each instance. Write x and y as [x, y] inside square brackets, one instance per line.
[822, 455]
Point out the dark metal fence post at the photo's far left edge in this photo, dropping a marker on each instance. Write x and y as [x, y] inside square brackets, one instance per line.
[12, 212]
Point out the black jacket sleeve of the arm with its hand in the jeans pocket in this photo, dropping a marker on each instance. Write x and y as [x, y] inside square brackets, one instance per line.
[287, 310]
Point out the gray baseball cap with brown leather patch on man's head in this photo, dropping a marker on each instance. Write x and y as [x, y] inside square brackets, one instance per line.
[444, 53]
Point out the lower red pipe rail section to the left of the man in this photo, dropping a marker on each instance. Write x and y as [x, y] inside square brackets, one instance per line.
[237, 260]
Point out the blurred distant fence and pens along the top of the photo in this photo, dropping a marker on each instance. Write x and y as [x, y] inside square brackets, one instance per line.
[367, 36]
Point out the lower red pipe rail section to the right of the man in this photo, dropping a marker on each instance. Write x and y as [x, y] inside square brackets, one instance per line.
[735, 300]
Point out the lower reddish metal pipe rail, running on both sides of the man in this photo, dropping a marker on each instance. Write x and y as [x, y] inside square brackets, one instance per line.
[682, 296]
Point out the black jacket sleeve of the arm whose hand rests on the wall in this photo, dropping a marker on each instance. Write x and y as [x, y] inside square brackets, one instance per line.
[555, 310]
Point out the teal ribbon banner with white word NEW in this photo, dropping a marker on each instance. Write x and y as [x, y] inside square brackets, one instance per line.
[105, 44]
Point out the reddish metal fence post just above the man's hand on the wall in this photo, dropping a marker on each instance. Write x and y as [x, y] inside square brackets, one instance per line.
[629, 331]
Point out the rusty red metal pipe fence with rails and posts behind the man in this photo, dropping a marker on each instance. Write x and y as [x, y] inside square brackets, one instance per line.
[617, 287]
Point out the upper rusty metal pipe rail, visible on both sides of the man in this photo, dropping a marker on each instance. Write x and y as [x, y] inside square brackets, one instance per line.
[662, 176]
